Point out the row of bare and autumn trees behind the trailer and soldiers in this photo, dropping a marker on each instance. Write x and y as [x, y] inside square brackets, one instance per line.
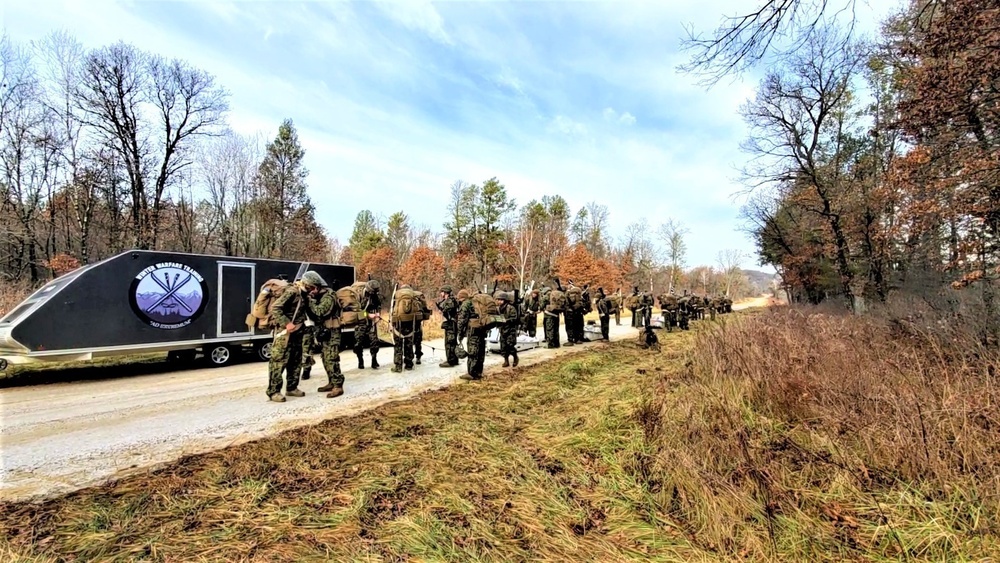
[112, 148]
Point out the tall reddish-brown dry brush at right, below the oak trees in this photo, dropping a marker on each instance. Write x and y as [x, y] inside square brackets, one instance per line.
[821, 436]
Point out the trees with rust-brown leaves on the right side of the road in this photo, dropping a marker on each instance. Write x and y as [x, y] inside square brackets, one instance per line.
[874, 163]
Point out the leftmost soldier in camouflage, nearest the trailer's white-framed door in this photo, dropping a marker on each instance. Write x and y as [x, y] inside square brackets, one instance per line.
[288, 315]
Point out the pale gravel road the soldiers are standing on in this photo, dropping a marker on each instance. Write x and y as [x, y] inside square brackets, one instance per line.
[62, 437]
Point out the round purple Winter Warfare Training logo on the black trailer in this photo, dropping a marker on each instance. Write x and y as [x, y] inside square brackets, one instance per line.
[168, 295]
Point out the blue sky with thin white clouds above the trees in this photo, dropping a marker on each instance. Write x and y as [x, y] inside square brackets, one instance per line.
[399, 99]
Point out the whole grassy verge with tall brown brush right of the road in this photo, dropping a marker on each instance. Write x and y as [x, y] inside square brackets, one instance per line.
[783, 435]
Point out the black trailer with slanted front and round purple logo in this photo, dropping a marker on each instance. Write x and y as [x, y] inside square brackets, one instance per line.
[146, 301]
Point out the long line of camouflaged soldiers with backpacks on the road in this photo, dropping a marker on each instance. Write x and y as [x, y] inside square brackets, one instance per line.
[306, 321]
